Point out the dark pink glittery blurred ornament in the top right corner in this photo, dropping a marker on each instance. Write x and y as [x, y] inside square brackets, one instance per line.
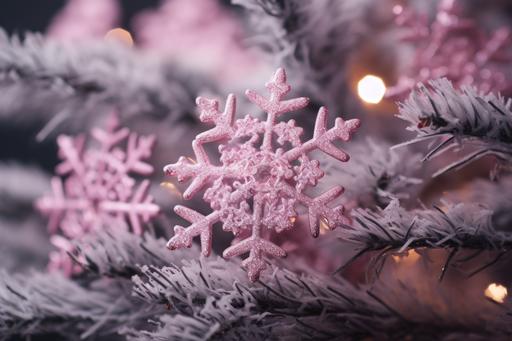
[453, 47]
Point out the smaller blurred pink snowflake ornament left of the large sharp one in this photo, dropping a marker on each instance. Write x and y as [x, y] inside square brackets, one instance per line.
[97, 189]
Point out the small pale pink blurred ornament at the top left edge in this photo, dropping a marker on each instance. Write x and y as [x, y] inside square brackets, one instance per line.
[85, 19]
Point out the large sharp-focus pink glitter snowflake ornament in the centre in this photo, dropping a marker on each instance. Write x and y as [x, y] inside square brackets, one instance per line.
[257, 186]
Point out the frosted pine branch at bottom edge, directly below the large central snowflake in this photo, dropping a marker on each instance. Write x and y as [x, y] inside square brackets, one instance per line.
[212, 298]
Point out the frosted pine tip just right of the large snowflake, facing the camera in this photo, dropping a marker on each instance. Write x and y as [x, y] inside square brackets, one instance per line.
[375, 174]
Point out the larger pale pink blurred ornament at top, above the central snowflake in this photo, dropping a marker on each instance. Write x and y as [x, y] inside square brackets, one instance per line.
[198, 34]
